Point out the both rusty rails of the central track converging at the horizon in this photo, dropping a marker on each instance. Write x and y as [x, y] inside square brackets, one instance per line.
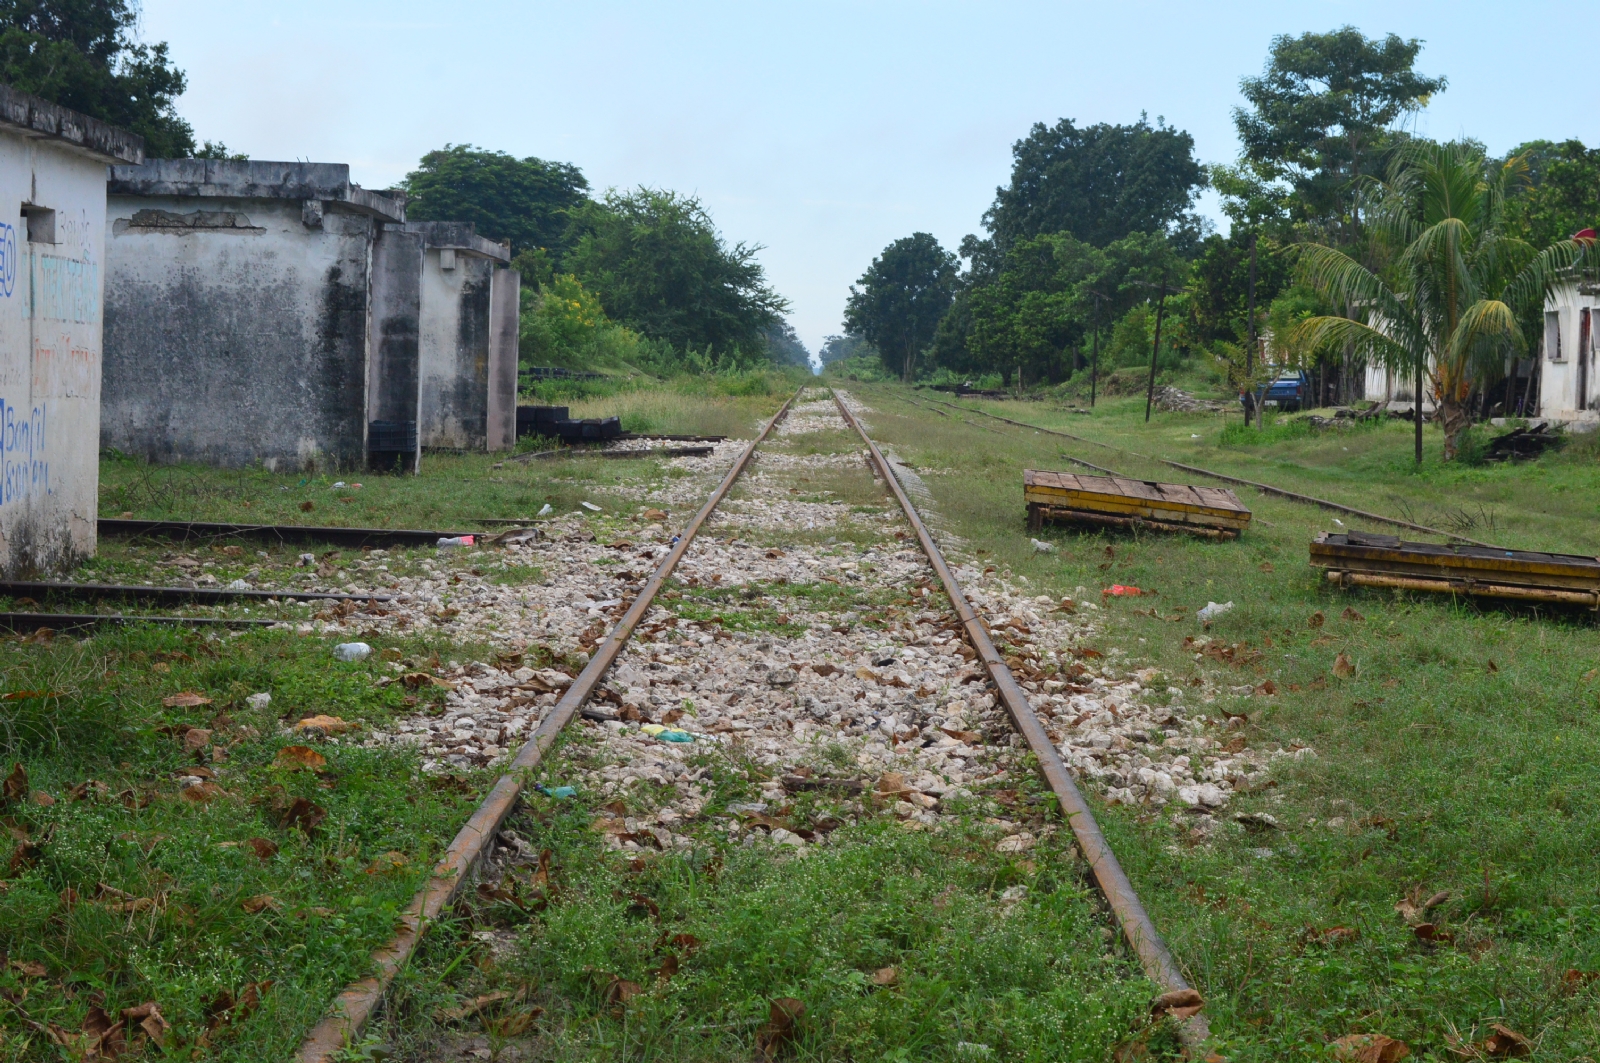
[476, 840]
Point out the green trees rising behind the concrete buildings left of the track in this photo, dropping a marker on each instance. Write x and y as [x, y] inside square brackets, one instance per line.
[631, 278]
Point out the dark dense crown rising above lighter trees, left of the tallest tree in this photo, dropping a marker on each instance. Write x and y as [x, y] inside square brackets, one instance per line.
[1098, 183]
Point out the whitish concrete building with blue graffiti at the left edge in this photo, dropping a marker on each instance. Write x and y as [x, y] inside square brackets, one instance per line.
[52, 275]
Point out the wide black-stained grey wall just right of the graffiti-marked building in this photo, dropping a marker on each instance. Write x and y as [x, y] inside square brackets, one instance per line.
[236, 334]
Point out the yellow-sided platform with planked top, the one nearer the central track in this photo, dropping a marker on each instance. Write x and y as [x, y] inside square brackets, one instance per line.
[1119, 502]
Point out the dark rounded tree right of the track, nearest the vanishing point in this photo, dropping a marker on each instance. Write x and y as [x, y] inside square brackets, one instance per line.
[902, 299]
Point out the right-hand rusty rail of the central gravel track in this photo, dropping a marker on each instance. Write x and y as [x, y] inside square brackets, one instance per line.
[1154, 957]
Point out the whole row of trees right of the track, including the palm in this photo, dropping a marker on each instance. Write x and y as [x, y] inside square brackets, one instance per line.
[1338, 214]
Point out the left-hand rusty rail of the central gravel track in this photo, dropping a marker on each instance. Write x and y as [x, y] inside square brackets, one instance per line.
[358, 1003]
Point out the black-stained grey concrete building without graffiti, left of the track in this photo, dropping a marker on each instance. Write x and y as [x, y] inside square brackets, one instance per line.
[268, 313]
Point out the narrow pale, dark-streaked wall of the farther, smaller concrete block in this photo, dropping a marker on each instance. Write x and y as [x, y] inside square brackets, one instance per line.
[457, 332]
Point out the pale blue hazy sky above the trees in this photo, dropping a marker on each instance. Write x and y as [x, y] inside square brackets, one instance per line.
[820, 130]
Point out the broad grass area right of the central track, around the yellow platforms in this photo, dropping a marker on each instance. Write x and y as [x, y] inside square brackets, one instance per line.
[1460, 756]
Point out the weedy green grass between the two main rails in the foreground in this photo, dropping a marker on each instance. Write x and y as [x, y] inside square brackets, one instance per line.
[991, 957]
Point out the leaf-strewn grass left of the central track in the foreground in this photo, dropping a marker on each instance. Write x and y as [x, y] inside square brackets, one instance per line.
[126, 886]
